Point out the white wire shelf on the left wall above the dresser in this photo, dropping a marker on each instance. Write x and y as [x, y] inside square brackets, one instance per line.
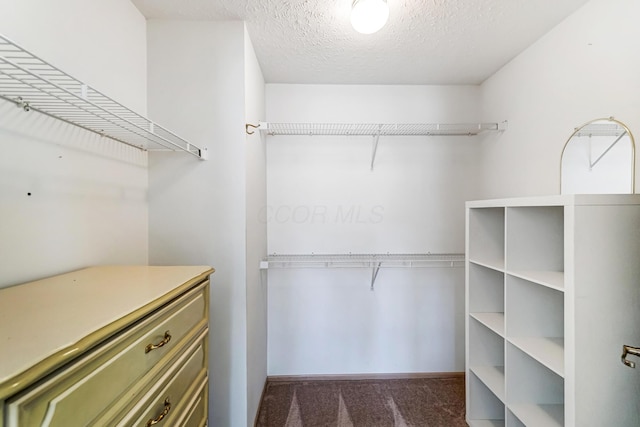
[33, 84]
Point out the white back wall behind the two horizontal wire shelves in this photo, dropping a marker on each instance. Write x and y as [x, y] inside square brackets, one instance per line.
[323, 198]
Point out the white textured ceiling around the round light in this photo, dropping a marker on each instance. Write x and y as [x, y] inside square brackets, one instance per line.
[424, 42]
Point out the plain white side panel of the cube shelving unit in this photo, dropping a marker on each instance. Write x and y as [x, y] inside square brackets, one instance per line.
[607, 298]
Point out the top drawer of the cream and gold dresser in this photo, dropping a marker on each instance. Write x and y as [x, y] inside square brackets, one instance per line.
[118, 368]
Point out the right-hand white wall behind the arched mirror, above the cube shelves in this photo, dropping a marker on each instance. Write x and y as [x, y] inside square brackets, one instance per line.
[585, 68]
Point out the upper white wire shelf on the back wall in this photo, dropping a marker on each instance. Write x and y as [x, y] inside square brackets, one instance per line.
[373, 129]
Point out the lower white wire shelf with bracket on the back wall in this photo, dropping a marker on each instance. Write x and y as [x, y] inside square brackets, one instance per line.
[373, 261]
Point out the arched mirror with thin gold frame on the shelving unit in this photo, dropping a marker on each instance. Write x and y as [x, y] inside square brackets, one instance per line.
[599, 158]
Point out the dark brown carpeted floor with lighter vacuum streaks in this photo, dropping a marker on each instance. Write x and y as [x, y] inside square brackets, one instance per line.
[419, 402]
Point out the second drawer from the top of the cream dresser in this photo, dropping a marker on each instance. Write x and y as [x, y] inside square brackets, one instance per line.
[170, 400]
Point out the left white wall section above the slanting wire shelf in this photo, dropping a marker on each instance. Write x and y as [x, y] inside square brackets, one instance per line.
[81, 39]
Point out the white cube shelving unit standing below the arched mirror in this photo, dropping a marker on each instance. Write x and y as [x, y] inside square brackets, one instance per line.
[552, 285]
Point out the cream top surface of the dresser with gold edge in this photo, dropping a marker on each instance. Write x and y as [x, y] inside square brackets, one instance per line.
[62, 316]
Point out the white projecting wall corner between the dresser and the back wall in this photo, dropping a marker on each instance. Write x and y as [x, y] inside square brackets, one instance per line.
[201, 212]
